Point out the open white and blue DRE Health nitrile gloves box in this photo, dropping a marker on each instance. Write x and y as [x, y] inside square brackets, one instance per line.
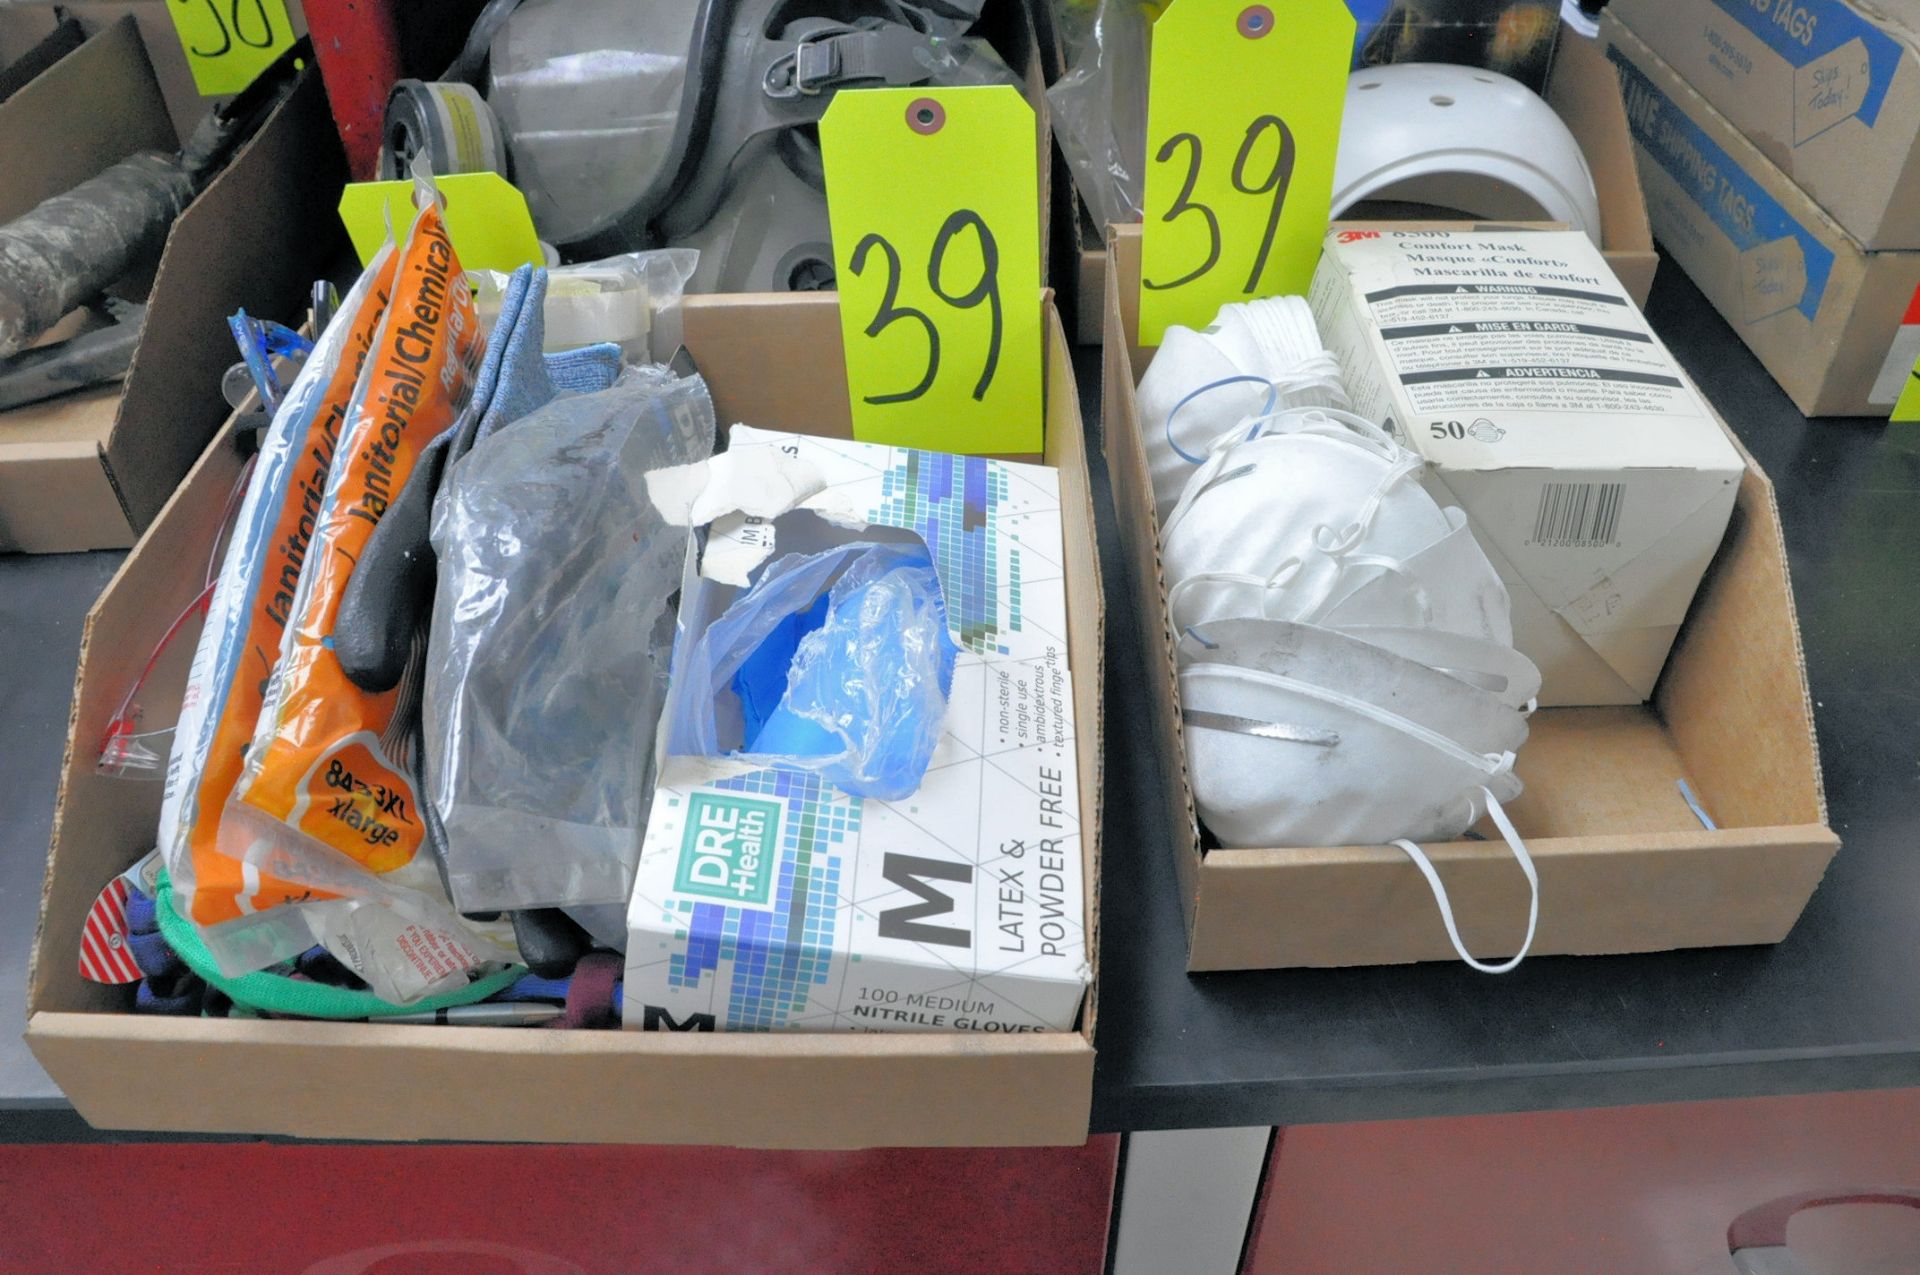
[769, 898]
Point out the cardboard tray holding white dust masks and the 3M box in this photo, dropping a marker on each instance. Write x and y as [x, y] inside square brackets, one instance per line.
[1625, 867]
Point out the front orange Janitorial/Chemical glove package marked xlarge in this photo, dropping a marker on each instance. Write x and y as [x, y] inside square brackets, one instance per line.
[327, 804]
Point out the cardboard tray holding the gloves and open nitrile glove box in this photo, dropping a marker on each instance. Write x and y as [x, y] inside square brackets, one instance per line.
[769, 360]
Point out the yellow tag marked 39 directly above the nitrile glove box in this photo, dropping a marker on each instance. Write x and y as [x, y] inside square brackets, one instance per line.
[934, 201]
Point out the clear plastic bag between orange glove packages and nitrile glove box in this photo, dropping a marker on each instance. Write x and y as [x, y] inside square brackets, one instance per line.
[552, 637]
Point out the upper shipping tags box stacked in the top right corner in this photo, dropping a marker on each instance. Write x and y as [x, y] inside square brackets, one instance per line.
[1829, 91]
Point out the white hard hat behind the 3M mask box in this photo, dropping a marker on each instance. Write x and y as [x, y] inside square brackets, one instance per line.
[1460, 137]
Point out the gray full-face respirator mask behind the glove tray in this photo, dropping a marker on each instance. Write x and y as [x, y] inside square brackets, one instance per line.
[684, 124]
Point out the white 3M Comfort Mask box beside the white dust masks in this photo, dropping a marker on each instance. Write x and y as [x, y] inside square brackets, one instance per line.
[1593, 473]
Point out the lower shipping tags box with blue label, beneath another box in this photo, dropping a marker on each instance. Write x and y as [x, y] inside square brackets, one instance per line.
[1821, 312]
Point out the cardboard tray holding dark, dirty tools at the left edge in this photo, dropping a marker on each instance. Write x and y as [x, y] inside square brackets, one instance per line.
[91, 469]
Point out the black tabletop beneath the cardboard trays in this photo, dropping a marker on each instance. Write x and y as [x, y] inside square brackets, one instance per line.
[1835, 1007]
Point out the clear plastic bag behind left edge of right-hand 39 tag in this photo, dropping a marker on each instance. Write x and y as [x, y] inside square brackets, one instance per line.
[1099, 108]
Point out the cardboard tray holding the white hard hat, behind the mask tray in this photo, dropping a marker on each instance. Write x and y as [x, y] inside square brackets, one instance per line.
[1585, 91]
